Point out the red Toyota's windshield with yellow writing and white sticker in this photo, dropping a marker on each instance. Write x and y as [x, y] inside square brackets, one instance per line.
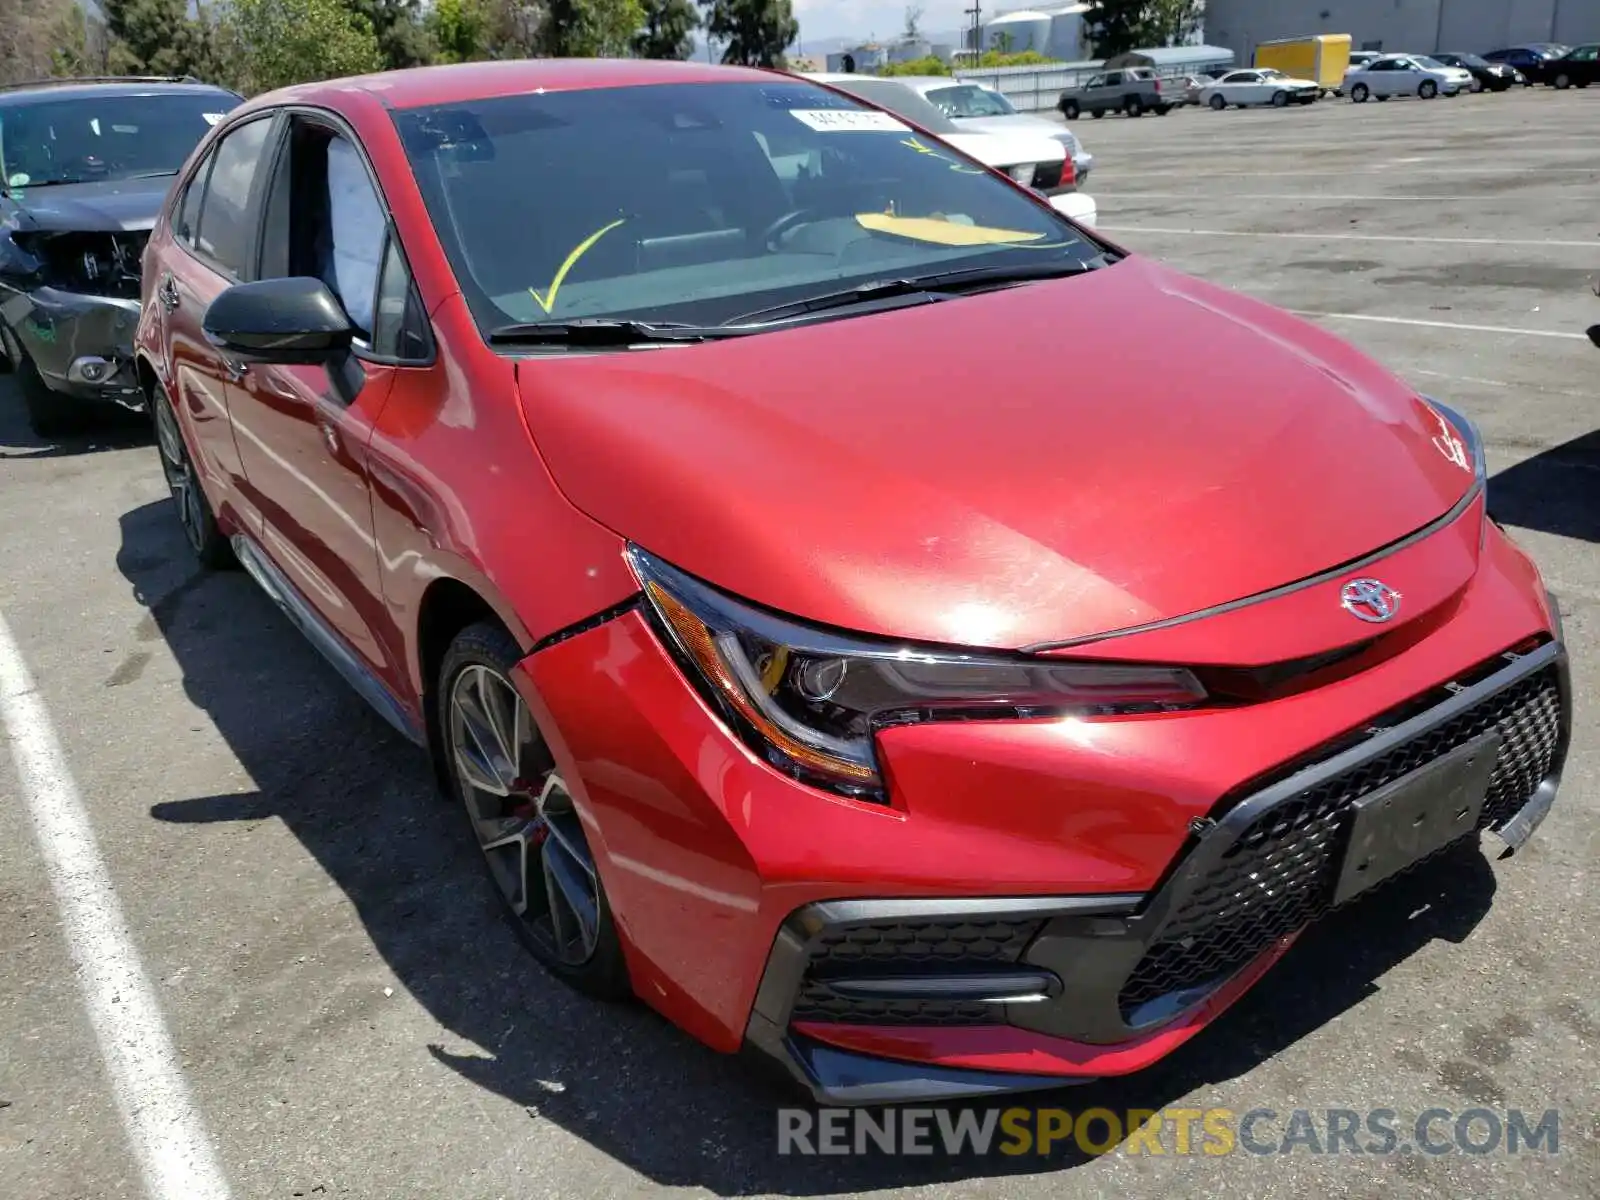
[700, 204]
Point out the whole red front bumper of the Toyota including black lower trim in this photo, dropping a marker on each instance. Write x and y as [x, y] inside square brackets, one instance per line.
[1042, 902]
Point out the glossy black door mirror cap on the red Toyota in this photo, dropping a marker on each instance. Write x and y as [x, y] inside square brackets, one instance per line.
[279, 321]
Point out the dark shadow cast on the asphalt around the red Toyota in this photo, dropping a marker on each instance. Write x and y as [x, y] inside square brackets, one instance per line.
[362, 804]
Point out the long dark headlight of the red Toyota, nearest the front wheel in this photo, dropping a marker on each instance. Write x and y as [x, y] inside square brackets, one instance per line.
[810, 702]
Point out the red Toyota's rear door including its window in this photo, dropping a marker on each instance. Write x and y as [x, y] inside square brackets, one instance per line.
[212, 236]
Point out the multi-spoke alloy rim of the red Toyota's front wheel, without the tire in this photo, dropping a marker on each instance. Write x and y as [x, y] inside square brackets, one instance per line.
[524, 817]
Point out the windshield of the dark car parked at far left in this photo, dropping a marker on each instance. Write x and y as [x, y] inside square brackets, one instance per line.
[110, 137]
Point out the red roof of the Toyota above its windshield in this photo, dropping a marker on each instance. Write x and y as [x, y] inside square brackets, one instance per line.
[462, 82]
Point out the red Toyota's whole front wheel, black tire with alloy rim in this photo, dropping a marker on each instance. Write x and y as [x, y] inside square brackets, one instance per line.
[522, 814]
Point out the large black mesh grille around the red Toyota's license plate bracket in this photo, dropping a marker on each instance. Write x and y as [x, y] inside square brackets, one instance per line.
[1281, 874]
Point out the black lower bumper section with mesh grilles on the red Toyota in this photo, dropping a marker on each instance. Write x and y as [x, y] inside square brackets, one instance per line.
[921, 999]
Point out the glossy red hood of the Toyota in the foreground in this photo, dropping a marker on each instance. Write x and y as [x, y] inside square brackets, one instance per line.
[1028, 466]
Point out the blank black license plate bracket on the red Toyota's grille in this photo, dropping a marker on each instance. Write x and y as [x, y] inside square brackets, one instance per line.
[1418, 814]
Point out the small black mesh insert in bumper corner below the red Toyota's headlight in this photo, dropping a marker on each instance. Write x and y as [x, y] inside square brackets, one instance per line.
[906, 950]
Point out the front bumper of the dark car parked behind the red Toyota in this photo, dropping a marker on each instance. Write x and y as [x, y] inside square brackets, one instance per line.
[81, 345]
